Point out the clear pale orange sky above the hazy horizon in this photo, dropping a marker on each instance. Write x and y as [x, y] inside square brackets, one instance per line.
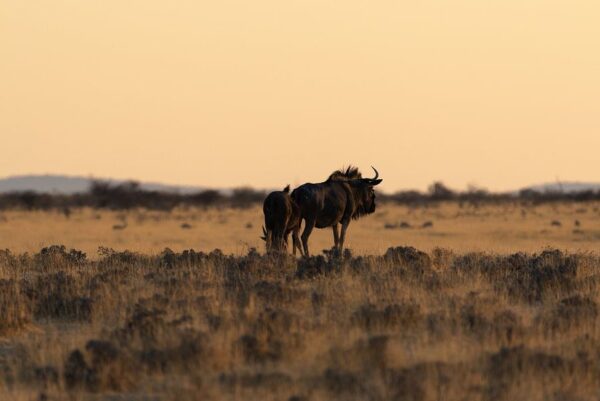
[500, 93]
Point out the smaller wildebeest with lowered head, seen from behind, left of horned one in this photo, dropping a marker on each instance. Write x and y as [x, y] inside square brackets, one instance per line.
[282, 216]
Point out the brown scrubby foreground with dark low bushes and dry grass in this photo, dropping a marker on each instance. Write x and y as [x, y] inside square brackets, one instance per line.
[406, 325]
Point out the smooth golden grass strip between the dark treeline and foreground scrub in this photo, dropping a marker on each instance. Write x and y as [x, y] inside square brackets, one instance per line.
[503, 228]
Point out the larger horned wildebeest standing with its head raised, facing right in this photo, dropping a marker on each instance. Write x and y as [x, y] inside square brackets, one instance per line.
[343, 197]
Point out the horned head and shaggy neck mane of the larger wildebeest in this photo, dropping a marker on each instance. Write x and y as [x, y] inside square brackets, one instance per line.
[364, 194]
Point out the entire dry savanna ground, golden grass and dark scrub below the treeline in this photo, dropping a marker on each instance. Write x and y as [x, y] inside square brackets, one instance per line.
[446, 301]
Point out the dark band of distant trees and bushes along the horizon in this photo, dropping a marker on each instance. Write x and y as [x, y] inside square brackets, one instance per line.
[130, 195]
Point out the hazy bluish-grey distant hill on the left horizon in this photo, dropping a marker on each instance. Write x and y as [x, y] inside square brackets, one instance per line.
[62, 184]
